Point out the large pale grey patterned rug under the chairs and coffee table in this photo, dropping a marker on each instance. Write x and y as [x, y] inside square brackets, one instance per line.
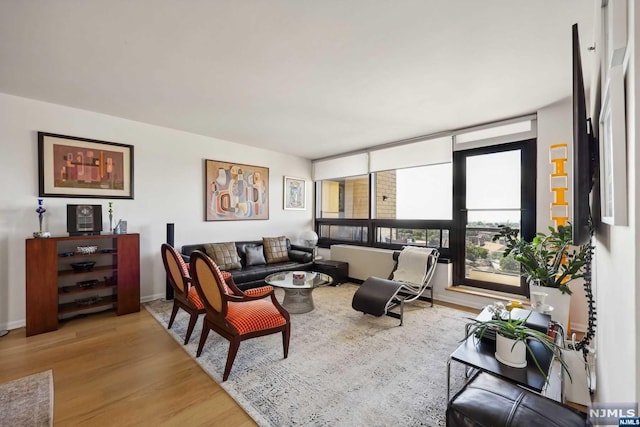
[344, 368]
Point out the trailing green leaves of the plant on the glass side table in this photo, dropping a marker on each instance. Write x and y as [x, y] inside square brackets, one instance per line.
[516, 329]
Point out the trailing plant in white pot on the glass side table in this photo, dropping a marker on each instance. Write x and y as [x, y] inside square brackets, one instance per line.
[513, 339]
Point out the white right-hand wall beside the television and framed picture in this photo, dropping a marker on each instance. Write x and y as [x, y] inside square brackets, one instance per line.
[617, 263]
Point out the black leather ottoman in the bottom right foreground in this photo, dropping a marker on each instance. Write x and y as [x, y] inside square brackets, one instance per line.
[488, 401]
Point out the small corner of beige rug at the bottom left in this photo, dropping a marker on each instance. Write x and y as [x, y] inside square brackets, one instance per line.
[27, 401]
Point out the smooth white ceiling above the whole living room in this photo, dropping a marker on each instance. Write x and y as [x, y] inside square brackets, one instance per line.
[310, 78]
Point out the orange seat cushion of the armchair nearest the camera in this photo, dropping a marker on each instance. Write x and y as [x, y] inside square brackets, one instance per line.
[254, 316]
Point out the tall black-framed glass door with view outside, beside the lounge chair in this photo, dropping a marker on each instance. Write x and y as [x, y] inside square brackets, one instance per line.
[494, 186]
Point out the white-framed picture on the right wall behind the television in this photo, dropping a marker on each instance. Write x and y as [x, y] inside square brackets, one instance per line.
[613, 147]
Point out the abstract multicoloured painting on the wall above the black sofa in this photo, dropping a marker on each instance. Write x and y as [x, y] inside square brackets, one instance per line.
[235, 191]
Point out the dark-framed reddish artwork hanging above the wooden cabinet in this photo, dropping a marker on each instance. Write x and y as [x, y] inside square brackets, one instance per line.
[78, 167]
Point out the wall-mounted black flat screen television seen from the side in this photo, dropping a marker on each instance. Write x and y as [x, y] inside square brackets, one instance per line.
[585, 152]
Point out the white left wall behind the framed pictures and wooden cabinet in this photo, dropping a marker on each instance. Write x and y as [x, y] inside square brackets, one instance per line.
[169, 187]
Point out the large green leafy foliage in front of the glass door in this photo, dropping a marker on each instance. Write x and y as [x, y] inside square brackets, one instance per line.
[548, 260]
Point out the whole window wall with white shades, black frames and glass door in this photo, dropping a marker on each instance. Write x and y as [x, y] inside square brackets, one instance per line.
[415, 193]
